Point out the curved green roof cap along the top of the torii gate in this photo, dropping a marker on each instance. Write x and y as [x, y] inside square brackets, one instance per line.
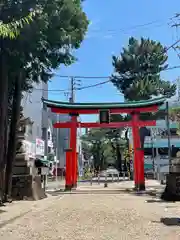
[113, 105]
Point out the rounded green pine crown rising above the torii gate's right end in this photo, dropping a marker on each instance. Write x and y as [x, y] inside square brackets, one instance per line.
[137, 70]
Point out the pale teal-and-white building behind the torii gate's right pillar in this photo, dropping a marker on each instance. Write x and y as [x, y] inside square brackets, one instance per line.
[156, 145]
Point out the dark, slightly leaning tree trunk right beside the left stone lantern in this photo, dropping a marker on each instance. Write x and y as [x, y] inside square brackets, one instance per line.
[11, 153]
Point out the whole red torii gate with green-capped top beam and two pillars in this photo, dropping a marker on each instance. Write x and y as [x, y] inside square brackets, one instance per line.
[132, 108]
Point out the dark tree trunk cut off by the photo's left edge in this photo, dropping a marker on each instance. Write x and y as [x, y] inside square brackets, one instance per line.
[3, 114]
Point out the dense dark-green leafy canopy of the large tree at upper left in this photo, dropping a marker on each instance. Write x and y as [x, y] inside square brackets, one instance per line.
[47, 41]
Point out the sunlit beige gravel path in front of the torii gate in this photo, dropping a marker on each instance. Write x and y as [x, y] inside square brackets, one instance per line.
[100, 217]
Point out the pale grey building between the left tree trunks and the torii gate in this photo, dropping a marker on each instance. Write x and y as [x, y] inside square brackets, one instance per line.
[33, 108]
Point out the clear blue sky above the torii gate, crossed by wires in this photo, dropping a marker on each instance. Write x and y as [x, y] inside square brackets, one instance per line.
[112, 23]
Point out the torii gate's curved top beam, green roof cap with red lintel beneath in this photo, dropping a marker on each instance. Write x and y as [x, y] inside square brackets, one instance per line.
[94, 108]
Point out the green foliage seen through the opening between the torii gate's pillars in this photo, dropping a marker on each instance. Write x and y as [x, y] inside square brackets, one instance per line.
[104, 145]
